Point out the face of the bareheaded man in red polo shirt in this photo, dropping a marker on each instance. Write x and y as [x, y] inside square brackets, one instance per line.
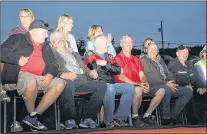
[127, 44]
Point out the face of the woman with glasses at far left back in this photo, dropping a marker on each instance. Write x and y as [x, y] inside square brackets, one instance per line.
[25, 19]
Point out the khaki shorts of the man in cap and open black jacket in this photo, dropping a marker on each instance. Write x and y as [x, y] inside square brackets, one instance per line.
[23, 80]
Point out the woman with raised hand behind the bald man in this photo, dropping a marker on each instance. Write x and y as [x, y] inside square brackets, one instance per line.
[94, 31]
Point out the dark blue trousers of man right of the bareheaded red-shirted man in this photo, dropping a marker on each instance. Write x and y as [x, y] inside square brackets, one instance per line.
[179, 99]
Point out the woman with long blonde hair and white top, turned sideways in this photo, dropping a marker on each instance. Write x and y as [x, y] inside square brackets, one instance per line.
[65, 25]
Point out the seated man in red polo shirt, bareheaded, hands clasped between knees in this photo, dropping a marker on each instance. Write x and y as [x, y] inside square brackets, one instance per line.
[133, 73]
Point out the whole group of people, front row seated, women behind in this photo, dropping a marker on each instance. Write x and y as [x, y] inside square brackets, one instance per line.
[32, 65]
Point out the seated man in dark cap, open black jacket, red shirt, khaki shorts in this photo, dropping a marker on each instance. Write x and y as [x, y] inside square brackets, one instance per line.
[29, 63]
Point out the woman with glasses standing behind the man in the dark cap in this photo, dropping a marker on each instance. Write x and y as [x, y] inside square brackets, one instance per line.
[26, 17]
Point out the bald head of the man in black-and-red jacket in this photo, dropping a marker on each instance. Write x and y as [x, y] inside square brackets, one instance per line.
[101, 44]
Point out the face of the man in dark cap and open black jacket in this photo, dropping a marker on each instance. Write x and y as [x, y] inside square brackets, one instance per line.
[40, 35]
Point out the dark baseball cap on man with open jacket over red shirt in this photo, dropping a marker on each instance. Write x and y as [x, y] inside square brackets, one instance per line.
[40, 24]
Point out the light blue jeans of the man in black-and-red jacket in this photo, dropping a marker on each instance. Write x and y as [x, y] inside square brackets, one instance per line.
[127, 91]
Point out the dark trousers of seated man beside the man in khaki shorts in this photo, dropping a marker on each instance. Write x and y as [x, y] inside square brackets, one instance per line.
[93, 106]
